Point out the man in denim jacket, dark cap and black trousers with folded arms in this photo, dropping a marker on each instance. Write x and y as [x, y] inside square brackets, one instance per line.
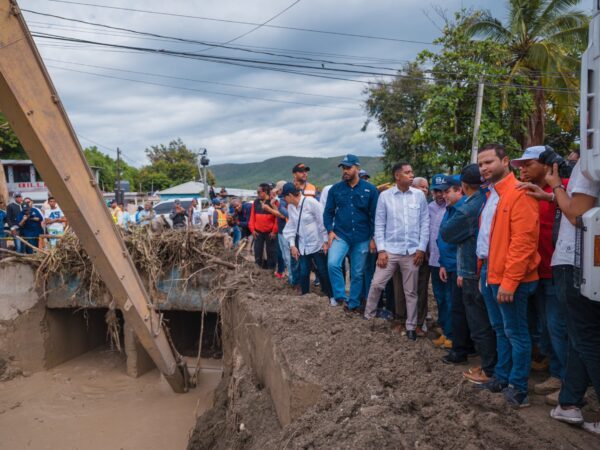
[461, 229]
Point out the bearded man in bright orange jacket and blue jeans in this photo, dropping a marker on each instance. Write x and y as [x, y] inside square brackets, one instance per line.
[507, 244]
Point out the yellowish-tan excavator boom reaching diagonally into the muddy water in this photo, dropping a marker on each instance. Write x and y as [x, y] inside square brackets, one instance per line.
[34, 110]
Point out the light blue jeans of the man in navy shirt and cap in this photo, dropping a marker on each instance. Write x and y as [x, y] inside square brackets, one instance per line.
[358, 258]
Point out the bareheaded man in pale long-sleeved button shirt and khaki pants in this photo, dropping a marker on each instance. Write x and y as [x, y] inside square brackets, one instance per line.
[401, 236]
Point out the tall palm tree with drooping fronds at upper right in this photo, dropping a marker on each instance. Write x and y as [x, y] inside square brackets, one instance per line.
[545, 39]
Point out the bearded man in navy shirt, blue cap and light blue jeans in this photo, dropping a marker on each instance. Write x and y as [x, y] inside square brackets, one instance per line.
[349, 218]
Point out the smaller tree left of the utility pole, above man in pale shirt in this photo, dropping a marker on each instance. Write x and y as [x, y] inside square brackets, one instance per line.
[397, 107]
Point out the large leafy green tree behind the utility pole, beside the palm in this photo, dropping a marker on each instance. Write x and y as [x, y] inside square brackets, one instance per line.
[448, 116]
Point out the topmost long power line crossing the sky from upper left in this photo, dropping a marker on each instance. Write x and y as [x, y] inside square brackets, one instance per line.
[281, 27]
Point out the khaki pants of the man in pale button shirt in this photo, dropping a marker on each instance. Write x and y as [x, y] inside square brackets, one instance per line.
[410, 278]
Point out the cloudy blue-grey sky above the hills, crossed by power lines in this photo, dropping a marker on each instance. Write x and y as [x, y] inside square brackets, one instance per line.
[118, 97]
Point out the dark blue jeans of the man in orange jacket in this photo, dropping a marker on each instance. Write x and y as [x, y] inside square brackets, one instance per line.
[513, 342]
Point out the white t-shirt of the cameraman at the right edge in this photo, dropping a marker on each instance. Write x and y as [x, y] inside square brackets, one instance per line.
[564, 252]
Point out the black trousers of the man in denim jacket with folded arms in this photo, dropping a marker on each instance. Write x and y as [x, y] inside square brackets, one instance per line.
[479, 323]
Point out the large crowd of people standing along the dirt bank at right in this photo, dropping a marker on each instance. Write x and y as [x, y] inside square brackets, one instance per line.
[496, 241]
